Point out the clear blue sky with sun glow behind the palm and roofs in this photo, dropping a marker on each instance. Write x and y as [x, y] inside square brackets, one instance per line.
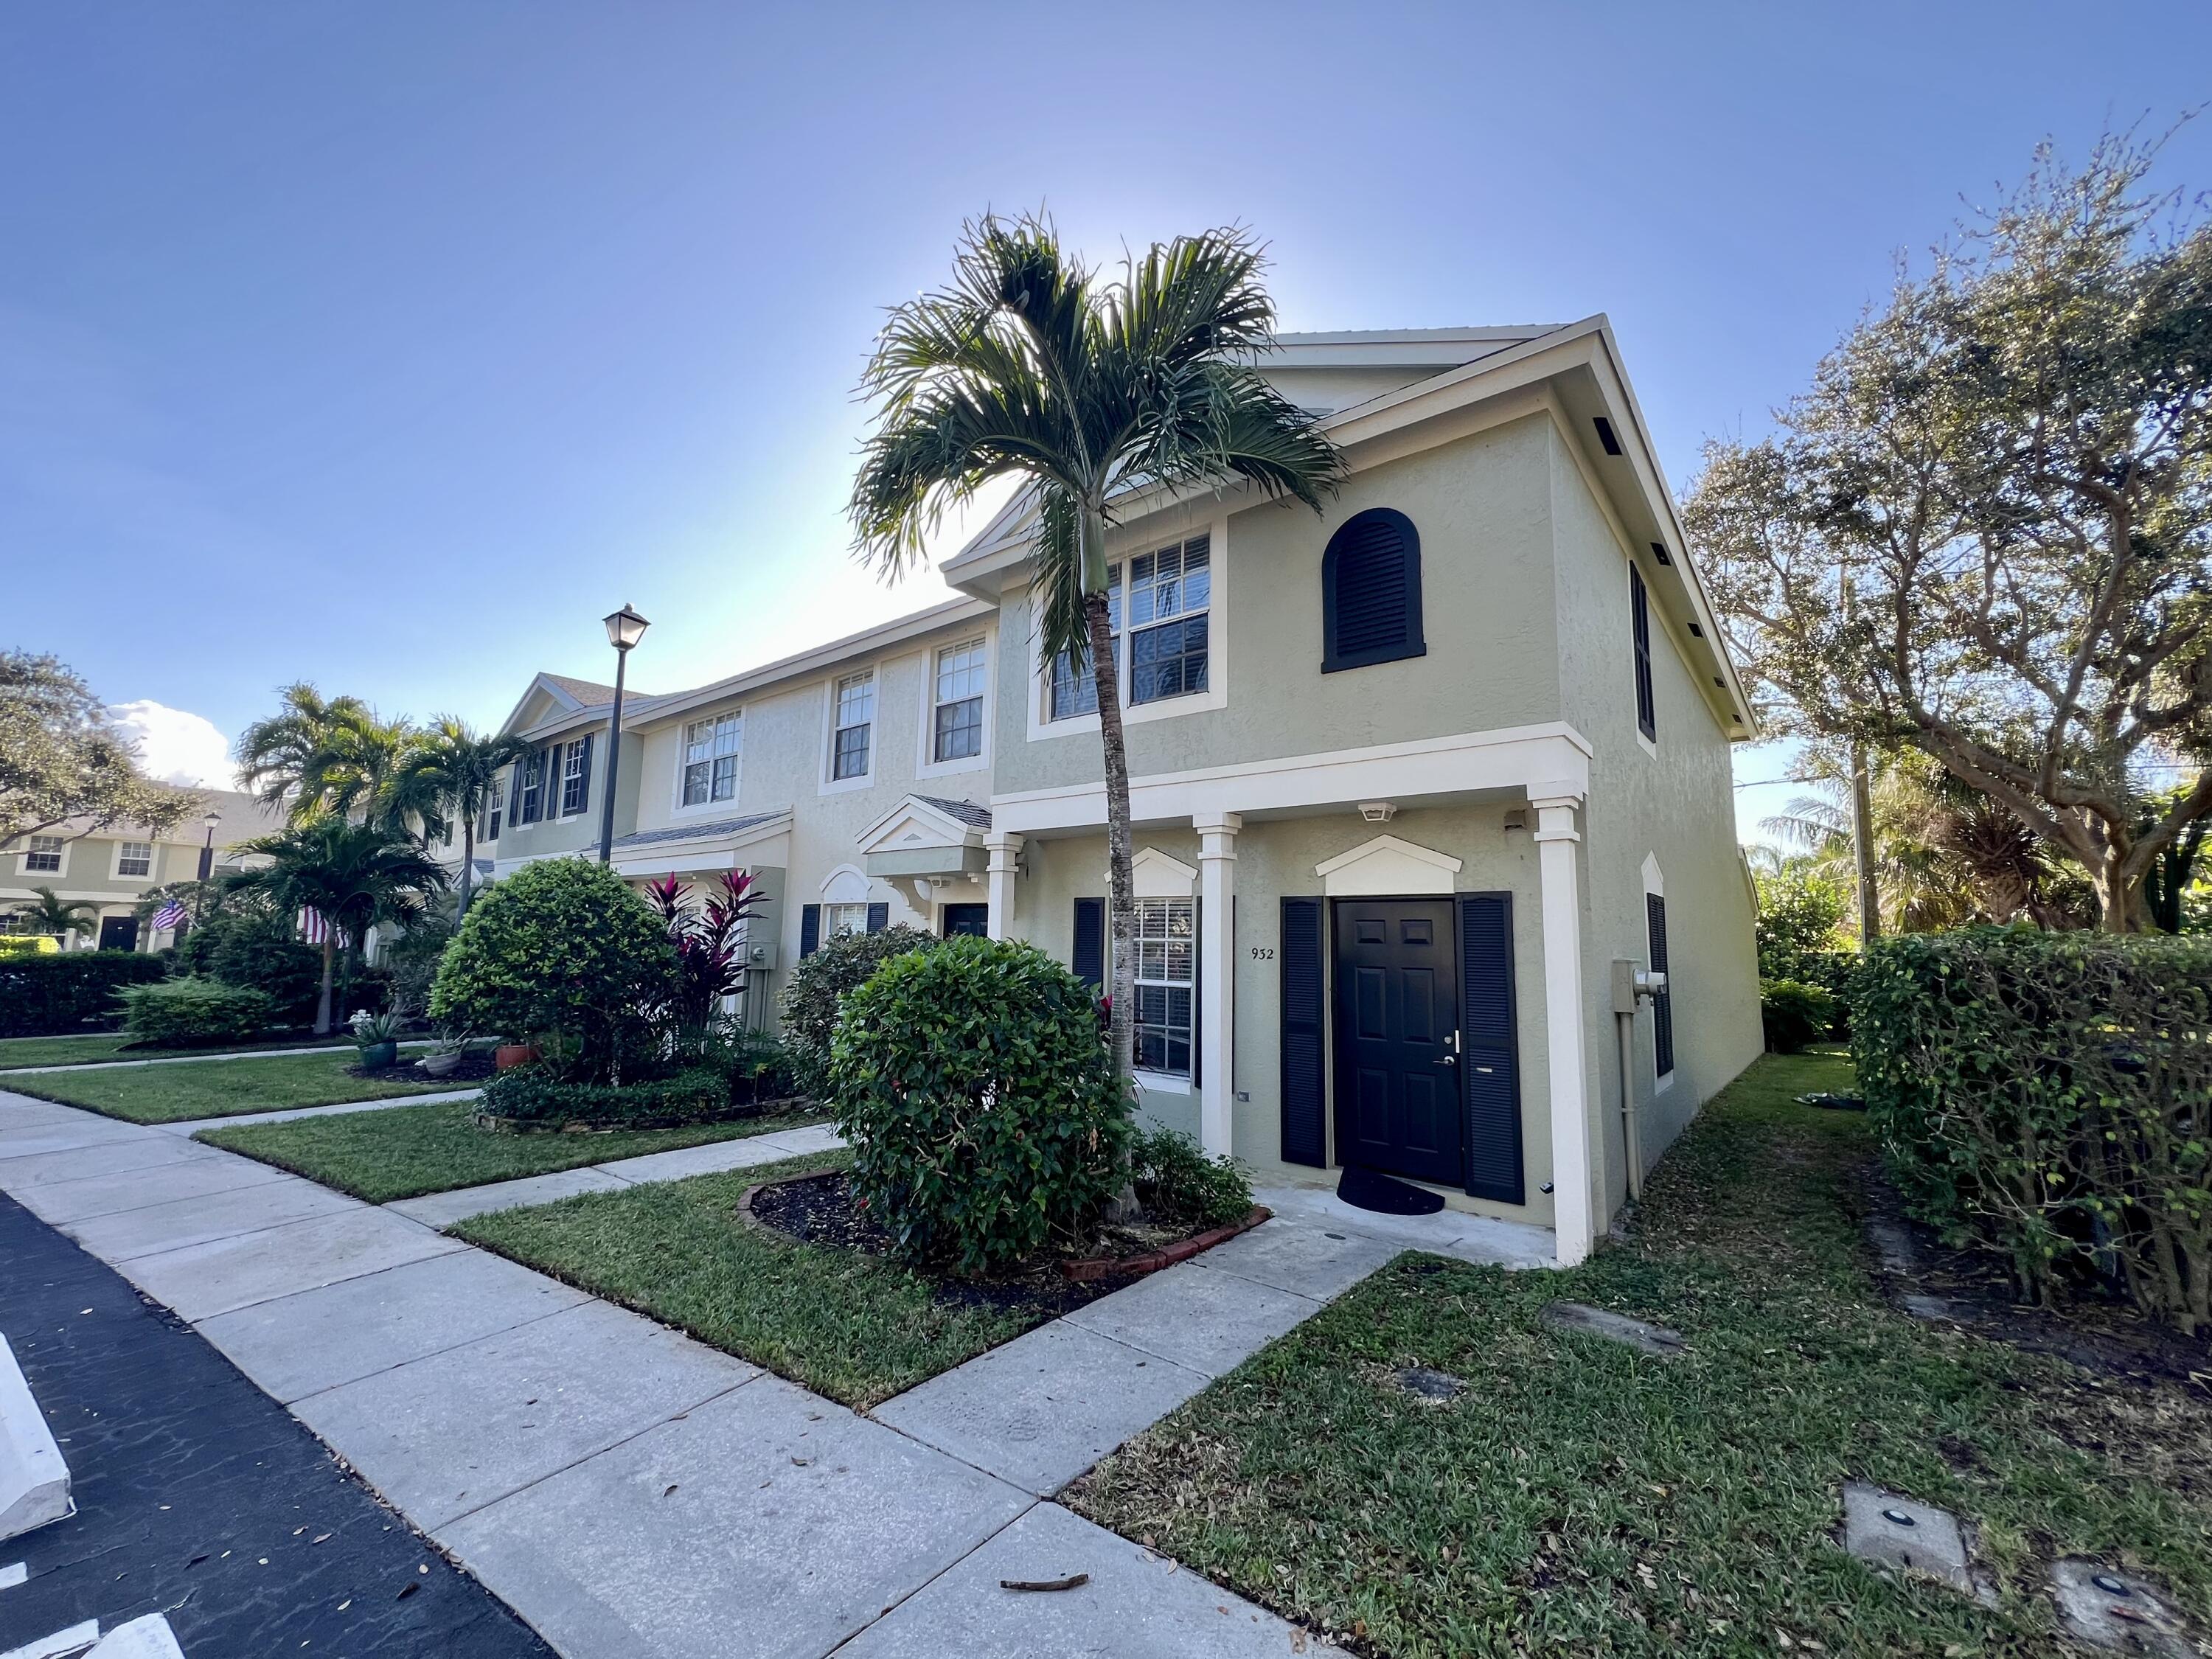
[393, 346]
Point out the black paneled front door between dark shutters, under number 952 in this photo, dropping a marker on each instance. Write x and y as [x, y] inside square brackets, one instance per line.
[1397, 1039]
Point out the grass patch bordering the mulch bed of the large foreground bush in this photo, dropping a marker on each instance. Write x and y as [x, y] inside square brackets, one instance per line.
[842, 1324]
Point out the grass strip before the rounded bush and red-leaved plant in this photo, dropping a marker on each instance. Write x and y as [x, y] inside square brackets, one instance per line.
[408, 1151]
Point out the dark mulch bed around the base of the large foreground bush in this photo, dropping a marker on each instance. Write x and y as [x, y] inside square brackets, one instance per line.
[826, 1211]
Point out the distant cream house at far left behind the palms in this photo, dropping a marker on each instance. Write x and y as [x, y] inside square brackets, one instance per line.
[116, 868]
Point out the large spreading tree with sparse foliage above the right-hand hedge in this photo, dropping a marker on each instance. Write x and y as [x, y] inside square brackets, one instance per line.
[1985, 530]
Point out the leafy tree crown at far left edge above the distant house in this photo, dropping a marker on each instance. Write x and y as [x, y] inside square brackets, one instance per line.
[63, 760]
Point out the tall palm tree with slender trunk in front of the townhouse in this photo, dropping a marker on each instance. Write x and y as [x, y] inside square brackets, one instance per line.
[1089, 393]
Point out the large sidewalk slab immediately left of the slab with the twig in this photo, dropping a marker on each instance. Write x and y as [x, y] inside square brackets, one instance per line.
[766, 1523]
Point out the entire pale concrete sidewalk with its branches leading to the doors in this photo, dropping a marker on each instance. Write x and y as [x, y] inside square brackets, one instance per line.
[627, 1490]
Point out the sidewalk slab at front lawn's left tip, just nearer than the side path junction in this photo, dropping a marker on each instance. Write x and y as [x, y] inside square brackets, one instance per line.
[351, 1331]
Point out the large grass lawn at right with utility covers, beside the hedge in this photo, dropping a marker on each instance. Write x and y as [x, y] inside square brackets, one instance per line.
[1583, 1499]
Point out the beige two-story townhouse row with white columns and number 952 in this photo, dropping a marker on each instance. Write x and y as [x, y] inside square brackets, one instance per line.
[1408, 780]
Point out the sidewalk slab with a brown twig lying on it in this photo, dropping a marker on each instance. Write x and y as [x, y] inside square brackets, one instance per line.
[1138, 1605]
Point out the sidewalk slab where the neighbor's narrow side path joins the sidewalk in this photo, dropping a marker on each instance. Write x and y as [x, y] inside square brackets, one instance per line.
[227, 1275]
